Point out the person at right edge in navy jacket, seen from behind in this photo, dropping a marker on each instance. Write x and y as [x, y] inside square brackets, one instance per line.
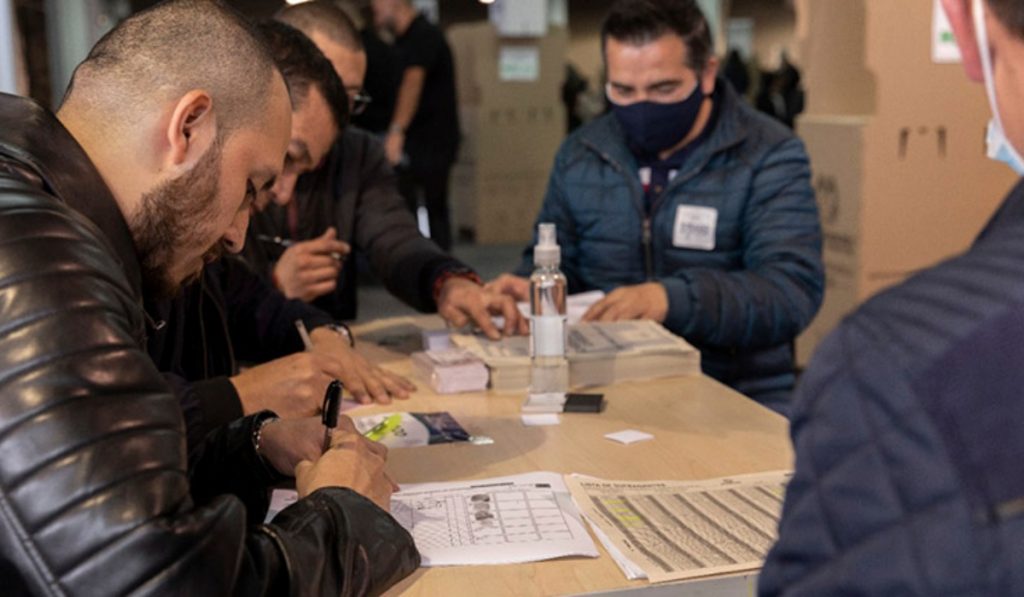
[908, 424]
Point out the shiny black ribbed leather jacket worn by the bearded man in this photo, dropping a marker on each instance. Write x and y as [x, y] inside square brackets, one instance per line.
[95, 492]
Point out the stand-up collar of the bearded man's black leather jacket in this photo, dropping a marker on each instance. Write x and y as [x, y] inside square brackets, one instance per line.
[33, 137]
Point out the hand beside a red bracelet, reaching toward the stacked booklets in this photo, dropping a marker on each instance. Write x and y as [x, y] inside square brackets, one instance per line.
[462, 302]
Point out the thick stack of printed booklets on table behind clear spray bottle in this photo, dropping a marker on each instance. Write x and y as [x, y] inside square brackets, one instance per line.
[600, 354]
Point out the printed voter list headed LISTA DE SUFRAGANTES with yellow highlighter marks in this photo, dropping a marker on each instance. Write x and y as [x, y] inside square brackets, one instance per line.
[674, 531]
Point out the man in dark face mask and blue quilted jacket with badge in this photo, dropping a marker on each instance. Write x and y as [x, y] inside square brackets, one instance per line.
[687, 206]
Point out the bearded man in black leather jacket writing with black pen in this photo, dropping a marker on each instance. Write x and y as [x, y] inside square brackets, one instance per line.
[148, 174]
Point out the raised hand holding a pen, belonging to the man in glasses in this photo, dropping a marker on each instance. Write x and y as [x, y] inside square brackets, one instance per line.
[310, 270]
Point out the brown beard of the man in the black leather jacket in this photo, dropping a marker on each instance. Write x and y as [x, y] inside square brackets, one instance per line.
[177, 217]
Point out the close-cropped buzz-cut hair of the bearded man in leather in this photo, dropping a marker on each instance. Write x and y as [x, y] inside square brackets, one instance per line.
[172, 49]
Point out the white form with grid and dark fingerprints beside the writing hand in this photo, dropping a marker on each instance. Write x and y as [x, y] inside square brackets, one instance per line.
[501, 521]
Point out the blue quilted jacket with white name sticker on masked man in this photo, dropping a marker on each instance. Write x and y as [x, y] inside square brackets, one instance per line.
[742, 304]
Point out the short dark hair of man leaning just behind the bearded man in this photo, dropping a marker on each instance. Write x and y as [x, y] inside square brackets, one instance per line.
[305, 66]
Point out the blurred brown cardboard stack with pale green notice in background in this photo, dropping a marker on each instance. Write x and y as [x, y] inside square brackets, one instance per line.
[513, 121]
